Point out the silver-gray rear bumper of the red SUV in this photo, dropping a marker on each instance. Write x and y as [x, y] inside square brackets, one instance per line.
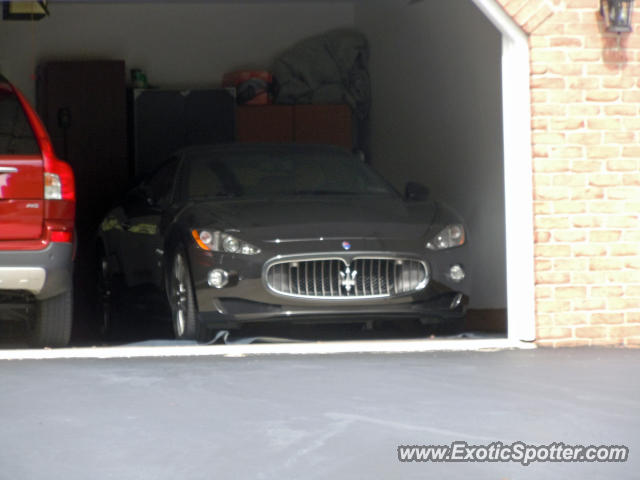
[45, 273]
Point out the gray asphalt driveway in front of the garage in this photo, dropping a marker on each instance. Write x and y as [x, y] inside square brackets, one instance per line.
[312, 416]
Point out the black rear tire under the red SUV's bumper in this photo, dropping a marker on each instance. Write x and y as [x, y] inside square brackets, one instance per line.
[51, 326]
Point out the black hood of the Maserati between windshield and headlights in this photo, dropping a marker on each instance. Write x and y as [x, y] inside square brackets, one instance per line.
[301, 218]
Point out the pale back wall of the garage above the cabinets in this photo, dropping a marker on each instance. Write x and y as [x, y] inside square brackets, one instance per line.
[176, 44]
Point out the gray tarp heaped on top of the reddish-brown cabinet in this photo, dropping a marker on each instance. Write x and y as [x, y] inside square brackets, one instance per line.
[331, 68]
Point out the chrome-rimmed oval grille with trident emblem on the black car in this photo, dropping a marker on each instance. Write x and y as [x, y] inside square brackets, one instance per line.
[335, 278]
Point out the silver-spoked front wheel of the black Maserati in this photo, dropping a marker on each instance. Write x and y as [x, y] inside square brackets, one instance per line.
[181, 298]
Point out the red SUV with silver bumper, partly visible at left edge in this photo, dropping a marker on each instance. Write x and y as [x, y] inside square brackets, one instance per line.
[37, 211]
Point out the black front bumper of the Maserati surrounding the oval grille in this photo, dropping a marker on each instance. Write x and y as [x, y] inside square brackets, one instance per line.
[247, 299]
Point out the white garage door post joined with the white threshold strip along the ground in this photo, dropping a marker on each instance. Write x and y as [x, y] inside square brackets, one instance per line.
[518, 188]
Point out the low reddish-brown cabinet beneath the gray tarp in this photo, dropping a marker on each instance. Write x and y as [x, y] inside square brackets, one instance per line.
[311, 124]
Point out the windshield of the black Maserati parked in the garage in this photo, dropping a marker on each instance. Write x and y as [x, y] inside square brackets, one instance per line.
[256, 173]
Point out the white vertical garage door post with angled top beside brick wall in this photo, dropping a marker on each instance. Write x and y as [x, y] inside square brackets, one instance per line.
[518, 172]
